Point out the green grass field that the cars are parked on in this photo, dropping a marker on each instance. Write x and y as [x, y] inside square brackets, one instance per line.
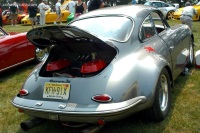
[184, 116]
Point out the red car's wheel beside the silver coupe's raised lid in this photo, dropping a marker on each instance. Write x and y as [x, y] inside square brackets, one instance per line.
[41, 54]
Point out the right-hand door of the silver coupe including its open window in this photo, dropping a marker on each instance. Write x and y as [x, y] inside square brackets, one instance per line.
[177, 44]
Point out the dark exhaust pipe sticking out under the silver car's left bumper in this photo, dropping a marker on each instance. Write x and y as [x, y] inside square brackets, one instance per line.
[27, 125]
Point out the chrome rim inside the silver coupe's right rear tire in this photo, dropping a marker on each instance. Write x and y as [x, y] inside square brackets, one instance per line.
[163, 93]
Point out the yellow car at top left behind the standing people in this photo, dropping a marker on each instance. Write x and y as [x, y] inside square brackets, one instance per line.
[50, 16]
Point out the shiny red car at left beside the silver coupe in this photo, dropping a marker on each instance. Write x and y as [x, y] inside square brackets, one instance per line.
[15, 49]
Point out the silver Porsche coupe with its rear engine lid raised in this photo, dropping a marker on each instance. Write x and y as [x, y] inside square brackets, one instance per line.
[106, 65]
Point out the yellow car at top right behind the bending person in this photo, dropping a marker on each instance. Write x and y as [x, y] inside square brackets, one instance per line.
[196, 17]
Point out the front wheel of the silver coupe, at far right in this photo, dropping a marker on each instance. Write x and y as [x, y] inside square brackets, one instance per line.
[191, 60]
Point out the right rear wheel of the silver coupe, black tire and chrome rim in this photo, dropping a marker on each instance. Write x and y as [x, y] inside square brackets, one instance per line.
[162, 100]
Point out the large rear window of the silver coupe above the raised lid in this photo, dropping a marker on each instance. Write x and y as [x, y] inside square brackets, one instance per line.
[114, 28]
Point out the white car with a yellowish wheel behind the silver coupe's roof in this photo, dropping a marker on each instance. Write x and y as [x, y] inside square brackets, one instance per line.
[167, 9]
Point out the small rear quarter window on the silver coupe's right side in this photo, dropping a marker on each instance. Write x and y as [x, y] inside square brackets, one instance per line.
[147, 29]
